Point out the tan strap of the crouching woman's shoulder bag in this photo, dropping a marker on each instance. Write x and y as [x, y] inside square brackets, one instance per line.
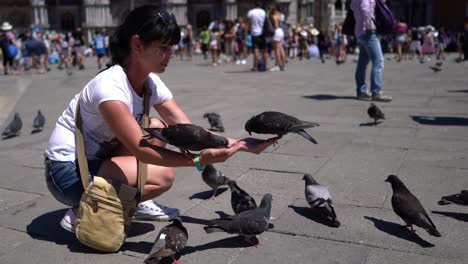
[142, 168]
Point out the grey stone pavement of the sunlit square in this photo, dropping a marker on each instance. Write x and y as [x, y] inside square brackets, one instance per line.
[424, 140]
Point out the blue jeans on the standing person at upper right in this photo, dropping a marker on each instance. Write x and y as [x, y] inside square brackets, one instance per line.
[369, 49]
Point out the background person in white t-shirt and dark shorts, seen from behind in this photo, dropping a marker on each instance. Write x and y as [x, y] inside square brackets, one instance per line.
[257, 17]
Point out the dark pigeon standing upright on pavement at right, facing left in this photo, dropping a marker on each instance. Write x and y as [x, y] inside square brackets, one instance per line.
[408, 207]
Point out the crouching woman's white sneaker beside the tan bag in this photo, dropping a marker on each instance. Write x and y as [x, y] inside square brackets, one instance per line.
[150, 210]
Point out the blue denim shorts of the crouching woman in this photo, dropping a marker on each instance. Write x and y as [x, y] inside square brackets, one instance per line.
[64, 181]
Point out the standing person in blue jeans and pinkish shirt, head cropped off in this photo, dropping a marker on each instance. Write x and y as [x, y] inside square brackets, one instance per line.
[369, 47]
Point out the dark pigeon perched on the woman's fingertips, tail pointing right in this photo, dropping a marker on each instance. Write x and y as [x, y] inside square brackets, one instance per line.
[271, 122]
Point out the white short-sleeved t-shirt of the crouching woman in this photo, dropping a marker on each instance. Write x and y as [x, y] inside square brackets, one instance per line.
[111, 84]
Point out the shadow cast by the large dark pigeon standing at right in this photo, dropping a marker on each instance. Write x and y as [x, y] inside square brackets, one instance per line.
[399, 231]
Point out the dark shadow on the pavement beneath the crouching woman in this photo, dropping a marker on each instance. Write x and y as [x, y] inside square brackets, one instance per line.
[47, 227]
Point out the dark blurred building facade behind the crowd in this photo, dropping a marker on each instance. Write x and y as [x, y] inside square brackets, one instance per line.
[66, 15]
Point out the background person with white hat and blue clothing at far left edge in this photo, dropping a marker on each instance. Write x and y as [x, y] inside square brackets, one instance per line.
[7, 44]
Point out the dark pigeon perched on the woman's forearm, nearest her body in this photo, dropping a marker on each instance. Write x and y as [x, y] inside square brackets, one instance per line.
[187, 137]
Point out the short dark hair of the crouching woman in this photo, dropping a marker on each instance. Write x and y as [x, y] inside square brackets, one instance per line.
[150, 23]
